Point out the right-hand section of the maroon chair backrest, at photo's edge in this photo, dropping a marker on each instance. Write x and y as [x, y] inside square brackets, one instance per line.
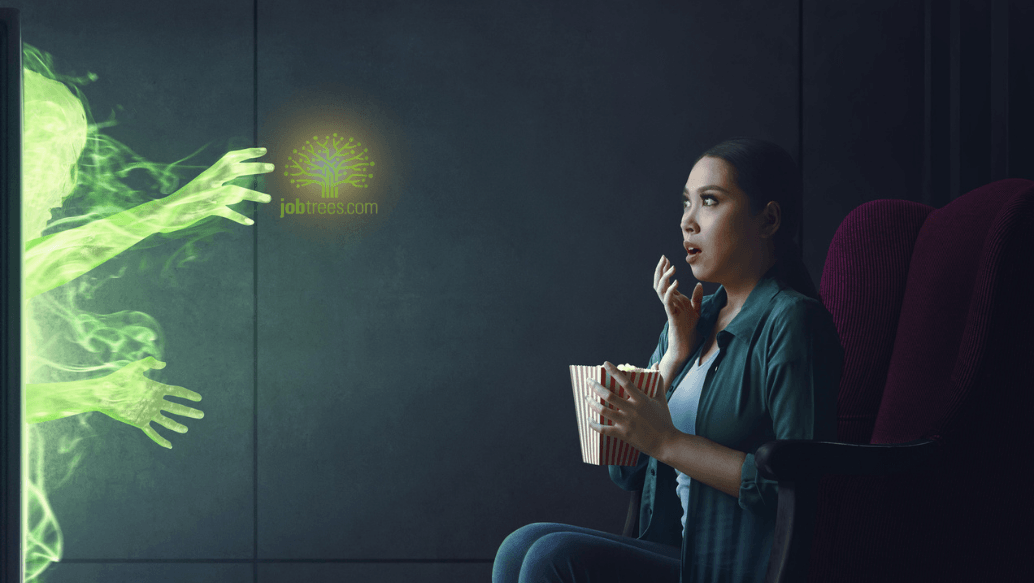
[967, 254]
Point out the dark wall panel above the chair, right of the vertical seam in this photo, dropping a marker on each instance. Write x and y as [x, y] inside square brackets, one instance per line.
[863, 112]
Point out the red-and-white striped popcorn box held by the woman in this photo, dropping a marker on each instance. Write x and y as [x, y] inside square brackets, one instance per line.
[598, 449]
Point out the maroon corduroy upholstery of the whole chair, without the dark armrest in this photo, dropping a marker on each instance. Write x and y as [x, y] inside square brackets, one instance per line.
[935, 310]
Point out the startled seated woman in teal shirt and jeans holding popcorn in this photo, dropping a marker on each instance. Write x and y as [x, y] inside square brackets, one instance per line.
[757, 361]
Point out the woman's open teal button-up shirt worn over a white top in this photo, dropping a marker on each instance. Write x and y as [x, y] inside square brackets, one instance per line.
[776, 378]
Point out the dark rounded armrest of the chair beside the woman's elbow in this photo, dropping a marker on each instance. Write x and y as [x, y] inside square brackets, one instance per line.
[792, 461]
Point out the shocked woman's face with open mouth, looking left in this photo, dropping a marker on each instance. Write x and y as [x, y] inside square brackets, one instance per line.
[717, 221]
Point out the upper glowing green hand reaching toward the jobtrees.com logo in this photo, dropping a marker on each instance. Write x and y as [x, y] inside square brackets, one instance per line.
[207, 195]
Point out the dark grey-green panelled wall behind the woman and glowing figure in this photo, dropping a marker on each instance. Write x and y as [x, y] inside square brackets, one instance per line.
[389, 408]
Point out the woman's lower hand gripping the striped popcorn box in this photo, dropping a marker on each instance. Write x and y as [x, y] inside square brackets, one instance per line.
[644, 423]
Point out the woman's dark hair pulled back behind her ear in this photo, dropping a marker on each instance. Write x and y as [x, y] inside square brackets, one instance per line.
[765, 172]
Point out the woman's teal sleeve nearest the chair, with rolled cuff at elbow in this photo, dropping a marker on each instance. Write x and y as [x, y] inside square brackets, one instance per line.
[803, 371]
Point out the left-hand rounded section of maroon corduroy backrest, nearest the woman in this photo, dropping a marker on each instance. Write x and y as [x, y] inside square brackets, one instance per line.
[863, 286]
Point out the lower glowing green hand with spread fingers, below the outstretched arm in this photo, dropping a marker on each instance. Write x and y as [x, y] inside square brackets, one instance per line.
[129, 396]
